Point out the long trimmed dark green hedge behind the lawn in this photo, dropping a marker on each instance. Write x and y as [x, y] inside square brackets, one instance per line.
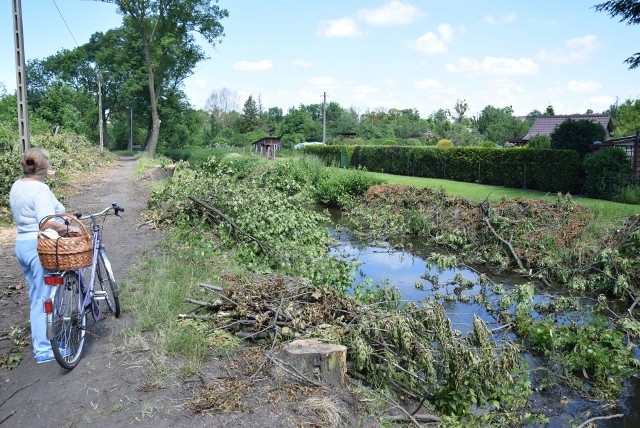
[546, 170]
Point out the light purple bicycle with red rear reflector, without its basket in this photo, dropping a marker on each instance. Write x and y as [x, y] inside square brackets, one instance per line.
[72, 299]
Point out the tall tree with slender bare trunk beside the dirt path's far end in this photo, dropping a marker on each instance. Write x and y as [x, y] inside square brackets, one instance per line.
[165, 30]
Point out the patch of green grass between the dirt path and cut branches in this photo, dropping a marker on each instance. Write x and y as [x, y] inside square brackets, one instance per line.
[157, 291]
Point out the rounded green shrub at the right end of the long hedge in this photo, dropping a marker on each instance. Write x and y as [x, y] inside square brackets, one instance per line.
[608, 172]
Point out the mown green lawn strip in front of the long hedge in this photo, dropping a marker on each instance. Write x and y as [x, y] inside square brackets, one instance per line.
[603, 210]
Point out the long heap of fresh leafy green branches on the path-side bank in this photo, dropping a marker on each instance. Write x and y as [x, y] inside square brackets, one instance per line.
[266, 226]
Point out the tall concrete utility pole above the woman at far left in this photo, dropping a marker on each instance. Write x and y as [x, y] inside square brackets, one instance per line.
[21, 80]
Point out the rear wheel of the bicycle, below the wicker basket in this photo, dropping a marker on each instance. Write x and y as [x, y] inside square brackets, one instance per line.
[68, 322]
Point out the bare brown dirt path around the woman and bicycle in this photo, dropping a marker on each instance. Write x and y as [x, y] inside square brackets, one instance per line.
[113, 384]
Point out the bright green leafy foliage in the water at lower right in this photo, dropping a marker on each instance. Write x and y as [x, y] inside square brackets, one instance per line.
[590, 352]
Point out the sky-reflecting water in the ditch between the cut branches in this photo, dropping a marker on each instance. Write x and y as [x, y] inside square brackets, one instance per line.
[406, 269]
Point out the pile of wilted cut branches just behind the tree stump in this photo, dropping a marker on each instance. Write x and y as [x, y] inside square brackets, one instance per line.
[392, 344]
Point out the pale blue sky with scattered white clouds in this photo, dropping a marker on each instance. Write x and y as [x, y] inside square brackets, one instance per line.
[374, 55]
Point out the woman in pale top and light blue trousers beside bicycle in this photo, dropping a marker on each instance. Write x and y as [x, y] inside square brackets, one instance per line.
[31, 200]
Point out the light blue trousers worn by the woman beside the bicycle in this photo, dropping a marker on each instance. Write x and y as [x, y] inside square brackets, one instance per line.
[27, 253]
